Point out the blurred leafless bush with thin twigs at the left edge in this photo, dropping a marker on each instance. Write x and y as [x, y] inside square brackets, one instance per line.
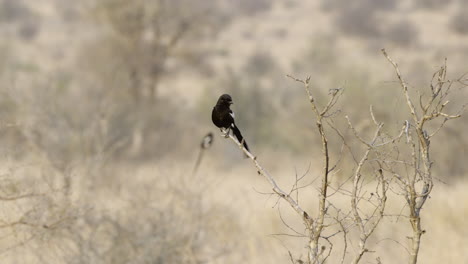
[36, 205]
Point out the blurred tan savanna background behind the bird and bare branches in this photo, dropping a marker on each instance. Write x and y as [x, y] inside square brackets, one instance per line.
[104, 104]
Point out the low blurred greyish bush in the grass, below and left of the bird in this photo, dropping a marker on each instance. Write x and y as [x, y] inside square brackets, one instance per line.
[170, 222]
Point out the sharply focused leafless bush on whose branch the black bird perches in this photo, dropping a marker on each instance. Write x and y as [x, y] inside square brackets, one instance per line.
[400, 162]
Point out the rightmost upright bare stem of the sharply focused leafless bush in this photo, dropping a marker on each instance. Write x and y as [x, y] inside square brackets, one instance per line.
[420, 147]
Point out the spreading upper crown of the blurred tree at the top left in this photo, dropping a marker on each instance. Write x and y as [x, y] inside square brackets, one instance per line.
[148, 39]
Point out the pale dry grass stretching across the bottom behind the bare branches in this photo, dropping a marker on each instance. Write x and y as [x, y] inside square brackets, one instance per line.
[162, 213]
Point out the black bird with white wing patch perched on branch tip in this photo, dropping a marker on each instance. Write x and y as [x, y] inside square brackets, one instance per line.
[223, 117]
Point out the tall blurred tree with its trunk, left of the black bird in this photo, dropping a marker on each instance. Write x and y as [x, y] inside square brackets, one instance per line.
[137, 45]
